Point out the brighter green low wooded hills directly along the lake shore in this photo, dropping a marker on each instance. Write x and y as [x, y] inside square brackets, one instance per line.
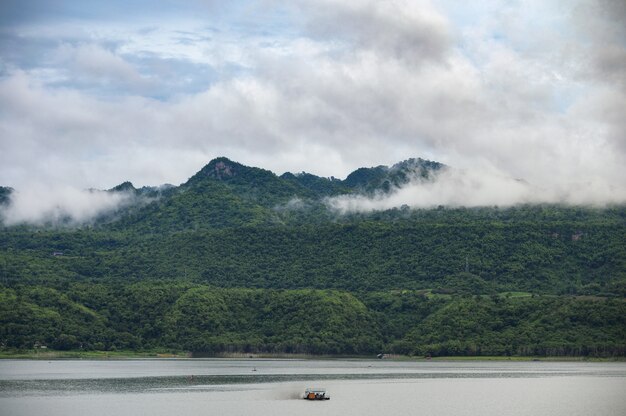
[200, 318]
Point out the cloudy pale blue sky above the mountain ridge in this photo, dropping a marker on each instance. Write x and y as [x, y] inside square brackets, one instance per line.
[95, 93]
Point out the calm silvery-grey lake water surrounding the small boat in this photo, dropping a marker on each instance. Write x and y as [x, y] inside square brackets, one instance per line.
[273, 387]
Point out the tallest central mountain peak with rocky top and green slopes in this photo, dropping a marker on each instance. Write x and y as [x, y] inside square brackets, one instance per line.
[222, 194]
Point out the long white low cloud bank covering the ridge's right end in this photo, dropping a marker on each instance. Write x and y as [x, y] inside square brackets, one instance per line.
[457, 188]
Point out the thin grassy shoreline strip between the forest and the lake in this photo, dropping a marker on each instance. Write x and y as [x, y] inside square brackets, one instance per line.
[129, 355]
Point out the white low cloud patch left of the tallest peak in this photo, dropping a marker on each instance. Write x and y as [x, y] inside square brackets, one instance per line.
[42, 205]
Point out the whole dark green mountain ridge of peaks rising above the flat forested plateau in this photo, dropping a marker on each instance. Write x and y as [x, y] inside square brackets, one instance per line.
[226, 194]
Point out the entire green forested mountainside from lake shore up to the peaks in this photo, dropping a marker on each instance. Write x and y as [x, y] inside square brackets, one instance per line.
[240, 259]
